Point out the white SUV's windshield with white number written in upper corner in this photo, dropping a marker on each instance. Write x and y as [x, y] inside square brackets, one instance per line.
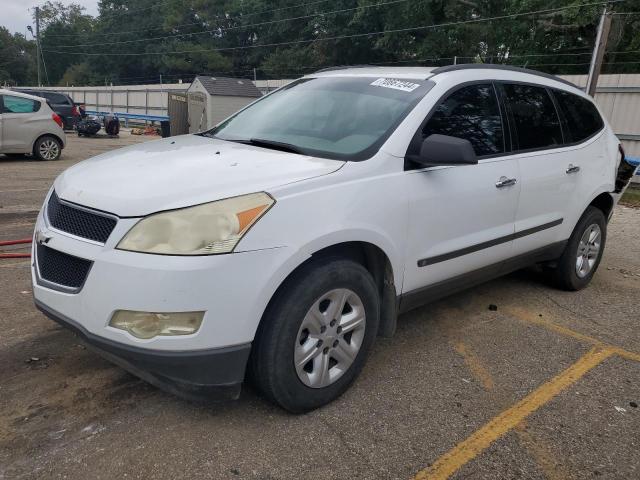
[342, 118]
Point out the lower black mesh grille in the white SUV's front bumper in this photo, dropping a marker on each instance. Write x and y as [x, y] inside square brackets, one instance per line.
[61, 268]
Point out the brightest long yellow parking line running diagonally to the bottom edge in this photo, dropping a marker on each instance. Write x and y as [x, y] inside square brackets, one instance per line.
[470, 448]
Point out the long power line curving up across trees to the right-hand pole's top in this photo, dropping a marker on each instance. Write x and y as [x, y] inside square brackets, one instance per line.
[342, 37]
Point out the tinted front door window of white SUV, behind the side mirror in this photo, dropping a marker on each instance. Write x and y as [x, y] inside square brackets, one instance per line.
[471, 113]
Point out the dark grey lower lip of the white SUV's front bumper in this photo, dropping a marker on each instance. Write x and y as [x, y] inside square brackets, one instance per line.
[195, 375]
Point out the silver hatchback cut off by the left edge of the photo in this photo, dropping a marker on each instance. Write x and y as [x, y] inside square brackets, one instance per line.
[28, 126]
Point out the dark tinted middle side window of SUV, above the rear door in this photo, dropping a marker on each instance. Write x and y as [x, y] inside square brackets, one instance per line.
[534, 116]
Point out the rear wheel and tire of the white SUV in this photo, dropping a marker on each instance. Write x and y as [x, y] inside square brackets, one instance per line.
[572, 273]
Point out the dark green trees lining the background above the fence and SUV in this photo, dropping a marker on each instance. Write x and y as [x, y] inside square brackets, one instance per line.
[286, 38]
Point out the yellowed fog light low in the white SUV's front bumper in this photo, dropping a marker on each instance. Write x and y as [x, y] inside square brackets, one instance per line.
[149, 325]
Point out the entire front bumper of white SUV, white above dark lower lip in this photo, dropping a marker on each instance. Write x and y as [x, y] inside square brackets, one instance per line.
[233, 290]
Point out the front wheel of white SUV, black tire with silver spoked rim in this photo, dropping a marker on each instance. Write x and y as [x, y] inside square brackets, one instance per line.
[289, 332]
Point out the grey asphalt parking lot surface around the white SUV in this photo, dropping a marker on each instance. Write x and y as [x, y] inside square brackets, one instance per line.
[452, 367]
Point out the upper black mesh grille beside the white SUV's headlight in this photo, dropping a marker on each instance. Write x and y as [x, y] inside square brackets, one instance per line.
[80, 222]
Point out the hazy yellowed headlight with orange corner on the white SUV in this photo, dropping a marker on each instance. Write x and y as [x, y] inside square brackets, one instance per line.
[205, 229]
